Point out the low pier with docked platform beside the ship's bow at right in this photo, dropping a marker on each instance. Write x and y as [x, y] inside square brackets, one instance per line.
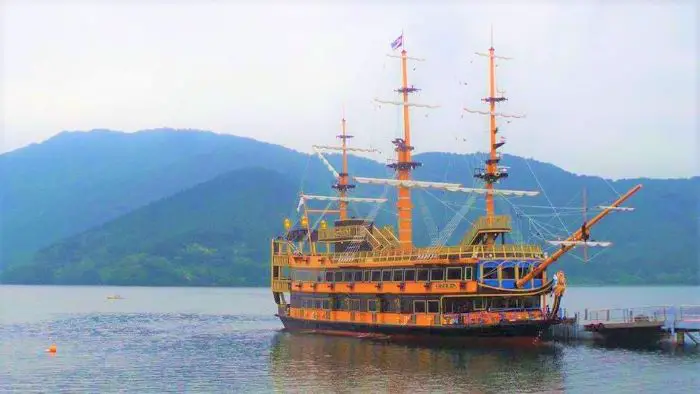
[640, 325]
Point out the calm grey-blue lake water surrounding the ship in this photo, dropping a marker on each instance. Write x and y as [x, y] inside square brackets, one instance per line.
[228, 340]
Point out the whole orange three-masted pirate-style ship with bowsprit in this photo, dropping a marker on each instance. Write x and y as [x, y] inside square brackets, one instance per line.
[355, 276]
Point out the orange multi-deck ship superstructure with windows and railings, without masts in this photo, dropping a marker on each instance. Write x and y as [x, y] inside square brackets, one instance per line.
[356, 271]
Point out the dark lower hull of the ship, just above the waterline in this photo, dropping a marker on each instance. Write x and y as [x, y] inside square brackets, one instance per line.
[531, 329]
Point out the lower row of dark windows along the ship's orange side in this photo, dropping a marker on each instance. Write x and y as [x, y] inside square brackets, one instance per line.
[416, 305]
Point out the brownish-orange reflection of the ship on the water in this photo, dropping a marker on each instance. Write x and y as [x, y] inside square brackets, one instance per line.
[320, 363]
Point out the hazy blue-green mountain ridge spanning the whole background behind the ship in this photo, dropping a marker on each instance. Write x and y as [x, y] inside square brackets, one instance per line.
[58, 195]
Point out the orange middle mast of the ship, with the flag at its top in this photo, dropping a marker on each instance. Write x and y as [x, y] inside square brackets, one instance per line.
[404, 164]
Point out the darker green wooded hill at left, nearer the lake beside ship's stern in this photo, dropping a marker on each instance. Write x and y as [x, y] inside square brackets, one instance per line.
[211, 234]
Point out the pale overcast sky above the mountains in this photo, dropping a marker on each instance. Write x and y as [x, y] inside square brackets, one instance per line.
[606, 89]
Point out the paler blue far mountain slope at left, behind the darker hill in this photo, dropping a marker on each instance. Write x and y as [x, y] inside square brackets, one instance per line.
[78, 180]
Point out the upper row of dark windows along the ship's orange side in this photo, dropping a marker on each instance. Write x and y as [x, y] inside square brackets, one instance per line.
[387, 275]
